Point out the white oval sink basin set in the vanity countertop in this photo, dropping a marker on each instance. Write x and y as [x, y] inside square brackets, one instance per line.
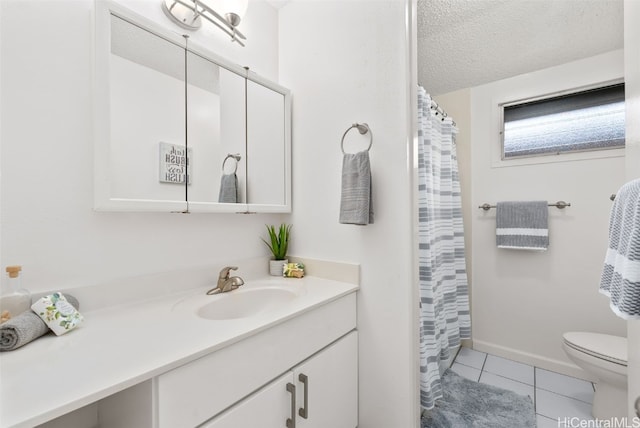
[243, 303]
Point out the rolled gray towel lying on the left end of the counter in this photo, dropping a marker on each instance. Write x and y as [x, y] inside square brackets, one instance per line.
[25, 328]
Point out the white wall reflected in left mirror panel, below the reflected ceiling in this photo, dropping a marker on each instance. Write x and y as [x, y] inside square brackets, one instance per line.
[156, 100]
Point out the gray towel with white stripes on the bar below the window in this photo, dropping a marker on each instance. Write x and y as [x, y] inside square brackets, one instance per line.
[522, 225]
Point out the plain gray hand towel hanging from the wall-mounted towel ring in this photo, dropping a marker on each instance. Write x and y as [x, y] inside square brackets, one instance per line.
[356, 202]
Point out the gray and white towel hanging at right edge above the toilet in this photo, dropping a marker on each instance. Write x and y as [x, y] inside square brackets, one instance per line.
[621, 273]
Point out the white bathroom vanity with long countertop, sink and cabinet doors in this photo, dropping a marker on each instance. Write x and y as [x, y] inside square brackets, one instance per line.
[276, 352]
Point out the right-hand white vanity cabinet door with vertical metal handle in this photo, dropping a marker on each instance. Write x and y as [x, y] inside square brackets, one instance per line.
[330, 382]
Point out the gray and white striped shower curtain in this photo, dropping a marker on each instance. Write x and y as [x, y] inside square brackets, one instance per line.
[444, 297]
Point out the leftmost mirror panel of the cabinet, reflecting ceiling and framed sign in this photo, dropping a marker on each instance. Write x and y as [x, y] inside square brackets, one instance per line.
[147, 111]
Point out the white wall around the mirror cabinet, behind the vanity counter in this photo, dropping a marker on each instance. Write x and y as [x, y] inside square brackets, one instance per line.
[48, 222]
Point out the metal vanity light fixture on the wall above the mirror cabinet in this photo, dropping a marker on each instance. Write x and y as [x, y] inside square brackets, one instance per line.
[224, 14]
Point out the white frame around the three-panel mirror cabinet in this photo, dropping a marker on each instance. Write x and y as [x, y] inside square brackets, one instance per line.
[103, 200]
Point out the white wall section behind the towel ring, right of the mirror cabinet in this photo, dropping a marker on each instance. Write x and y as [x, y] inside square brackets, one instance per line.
[346, 62]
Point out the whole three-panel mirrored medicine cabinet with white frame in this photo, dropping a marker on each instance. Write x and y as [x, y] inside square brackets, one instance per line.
[167, 110]
